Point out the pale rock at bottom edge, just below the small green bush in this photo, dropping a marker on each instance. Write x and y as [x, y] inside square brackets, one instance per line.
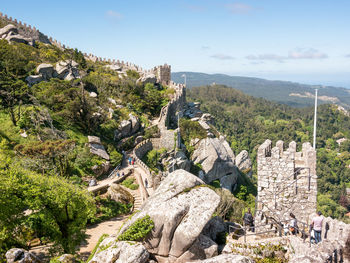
[112, 251]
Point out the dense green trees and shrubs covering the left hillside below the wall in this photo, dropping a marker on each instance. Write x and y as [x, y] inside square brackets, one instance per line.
[45, 163]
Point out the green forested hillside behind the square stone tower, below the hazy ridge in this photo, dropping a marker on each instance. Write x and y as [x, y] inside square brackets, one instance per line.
[248, 122]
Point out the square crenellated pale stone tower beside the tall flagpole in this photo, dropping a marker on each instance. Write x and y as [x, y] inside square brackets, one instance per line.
[287, 181]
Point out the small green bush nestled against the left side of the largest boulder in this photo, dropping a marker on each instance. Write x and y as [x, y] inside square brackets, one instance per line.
[138, 230]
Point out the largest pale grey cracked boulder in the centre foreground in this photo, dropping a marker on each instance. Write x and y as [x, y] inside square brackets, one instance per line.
[180, 208]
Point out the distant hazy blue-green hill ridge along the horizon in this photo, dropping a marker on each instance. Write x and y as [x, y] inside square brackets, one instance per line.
[290, 93]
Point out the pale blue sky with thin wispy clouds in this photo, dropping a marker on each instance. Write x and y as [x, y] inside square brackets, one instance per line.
[305, 41]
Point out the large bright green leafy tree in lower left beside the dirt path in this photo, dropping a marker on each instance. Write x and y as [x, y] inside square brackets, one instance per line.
[32, 205]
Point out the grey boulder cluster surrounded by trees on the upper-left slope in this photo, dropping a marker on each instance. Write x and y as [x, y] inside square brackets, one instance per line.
[65, 70]
